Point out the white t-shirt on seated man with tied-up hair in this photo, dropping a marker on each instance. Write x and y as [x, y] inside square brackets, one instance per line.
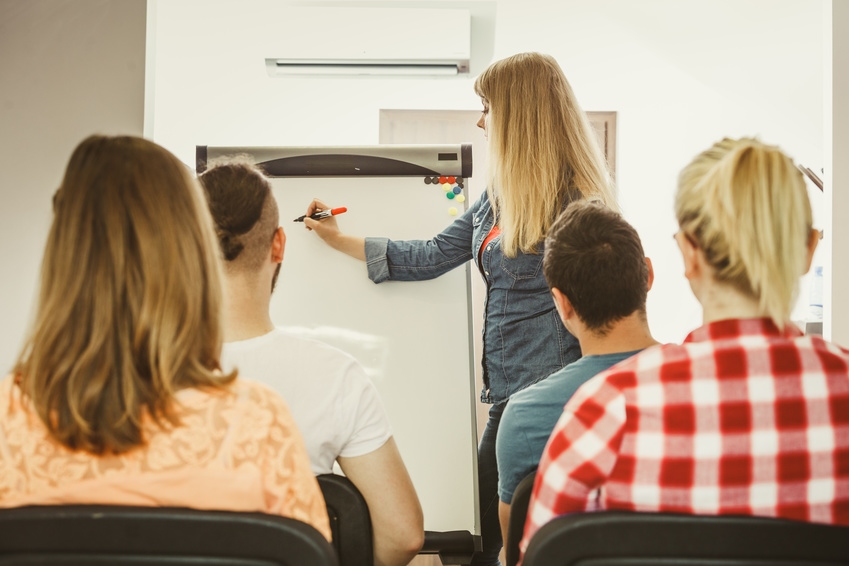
[334, 403]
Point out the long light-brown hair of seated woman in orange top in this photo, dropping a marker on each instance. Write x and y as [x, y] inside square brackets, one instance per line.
[130, 297]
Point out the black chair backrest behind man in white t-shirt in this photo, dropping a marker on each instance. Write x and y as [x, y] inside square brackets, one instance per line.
[350, 521]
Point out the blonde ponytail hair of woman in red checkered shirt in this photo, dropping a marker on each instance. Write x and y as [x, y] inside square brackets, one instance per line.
[745, 205]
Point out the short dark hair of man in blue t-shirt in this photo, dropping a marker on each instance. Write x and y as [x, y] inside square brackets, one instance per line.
[595, 258]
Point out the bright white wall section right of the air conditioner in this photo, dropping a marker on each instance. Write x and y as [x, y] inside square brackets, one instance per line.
[682, 74]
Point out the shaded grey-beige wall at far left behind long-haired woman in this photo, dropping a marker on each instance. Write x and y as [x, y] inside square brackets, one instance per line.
[68, 68]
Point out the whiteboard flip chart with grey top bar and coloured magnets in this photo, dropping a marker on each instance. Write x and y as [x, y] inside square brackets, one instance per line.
[414, 339]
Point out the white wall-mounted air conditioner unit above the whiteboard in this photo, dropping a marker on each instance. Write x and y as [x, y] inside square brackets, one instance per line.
[371, 41]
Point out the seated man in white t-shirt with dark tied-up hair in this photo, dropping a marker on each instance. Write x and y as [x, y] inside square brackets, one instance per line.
[334, 404]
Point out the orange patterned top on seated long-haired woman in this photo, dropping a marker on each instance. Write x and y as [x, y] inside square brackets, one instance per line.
[236, 450]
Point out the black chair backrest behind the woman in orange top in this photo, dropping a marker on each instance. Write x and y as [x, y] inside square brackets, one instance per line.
[161, 536]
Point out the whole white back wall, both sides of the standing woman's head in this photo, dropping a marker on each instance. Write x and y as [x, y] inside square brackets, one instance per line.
[680, 73]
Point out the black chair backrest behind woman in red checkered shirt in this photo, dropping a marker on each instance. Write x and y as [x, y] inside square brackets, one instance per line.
[619, 538]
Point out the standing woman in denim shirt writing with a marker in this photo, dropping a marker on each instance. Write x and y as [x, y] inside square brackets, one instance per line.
[542, 155]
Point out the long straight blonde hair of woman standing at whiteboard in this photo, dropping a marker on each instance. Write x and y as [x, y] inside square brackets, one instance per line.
[543, 152]
